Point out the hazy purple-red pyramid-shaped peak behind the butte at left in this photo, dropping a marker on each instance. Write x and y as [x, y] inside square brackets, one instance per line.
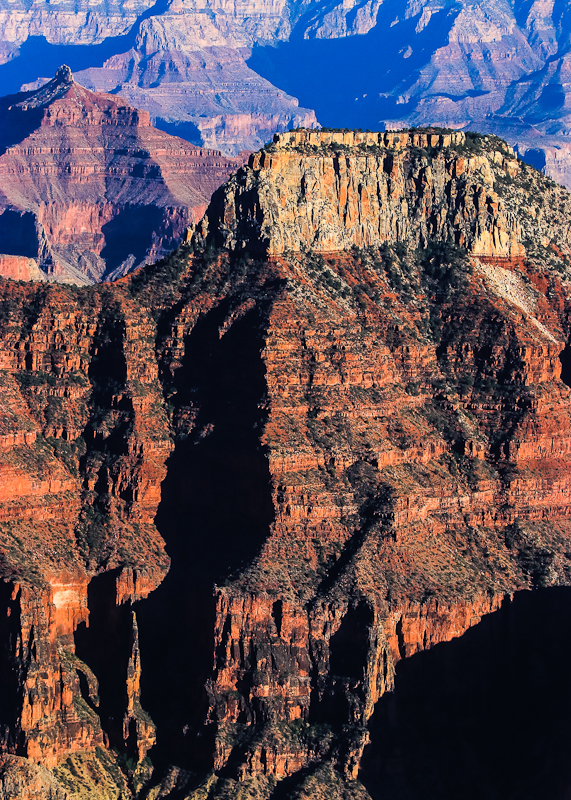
[77, 169]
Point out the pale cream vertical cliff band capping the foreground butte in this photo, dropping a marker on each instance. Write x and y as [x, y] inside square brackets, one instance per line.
[333, 191]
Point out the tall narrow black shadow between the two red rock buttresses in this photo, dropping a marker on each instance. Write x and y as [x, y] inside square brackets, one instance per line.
[209, 534]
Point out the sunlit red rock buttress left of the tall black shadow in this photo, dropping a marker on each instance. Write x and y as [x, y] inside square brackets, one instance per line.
[79, 488]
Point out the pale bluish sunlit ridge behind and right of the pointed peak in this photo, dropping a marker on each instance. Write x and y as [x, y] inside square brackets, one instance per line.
[188, 68]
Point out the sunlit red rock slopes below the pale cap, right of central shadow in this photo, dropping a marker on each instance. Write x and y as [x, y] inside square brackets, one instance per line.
[399, 498]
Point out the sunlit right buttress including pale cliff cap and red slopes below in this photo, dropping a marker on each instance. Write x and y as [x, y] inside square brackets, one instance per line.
[413, 457]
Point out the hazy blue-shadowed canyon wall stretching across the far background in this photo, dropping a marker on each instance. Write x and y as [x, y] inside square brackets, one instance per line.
[494, 67]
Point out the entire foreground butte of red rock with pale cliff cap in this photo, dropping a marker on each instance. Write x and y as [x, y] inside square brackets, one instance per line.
[371, 454]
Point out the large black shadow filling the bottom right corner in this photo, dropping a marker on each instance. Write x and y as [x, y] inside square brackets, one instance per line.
[485, 715]
